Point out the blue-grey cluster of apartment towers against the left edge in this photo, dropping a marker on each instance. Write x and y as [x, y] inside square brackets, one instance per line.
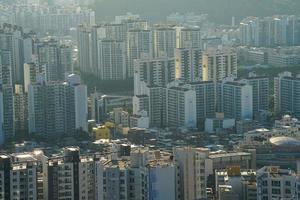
[39, 93]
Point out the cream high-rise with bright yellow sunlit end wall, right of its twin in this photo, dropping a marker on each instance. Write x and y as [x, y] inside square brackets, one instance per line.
[218, 64]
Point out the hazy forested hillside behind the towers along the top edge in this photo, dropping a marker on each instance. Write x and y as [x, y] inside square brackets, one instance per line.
[219, 11]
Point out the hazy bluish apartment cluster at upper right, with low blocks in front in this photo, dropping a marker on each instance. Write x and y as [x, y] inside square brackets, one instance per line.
[271, 41]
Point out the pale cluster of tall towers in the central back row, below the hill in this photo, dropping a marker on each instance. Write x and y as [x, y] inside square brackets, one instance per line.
[110, 50]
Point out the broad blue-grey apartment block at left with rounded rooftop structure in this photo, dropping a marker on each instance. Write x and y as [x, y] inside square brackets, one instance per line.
[57, 108]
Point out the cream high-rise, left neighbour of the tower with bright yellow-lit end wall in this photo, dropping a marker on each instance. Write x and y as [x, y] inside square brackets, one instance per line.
[188, 64]
